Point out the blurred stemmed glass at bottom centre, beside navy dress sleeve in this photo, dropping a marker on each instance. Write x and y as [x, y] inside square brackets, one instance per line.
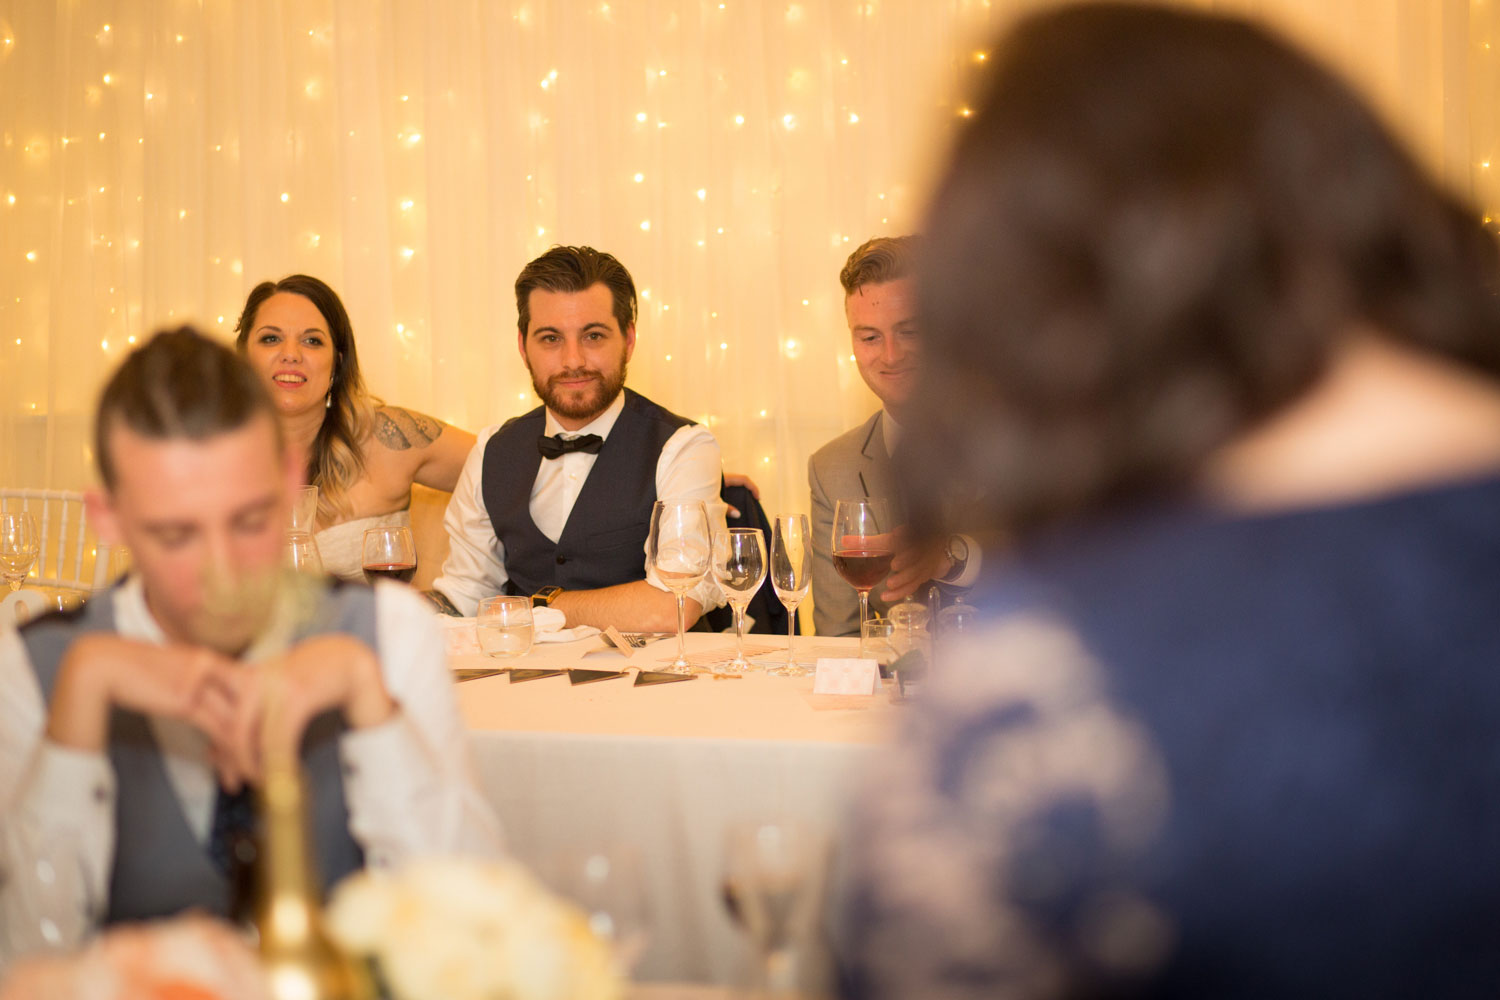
[770, 867]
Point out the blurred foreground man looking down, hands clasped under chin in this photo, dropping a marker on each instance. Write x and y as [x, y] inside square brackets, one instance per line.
[131, 729]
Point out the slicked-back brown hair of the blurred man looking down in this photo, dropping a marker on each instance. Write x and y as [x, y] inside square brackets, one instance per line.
[179, 385]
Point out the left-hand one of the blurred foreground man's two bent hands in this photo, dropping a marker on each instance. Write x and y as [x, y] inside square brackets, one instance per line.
[104, 671]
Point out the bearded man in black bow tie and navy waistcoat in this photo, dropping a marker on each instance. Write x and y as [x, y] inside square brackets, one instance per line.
[557, 504]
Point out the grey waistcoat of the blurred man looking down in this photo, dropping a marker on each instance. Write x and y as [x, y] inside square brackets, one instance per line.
[160, 867]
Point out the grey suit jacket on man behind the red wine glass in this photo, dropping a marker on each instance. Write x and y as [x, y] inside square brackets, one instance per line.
[851, 467]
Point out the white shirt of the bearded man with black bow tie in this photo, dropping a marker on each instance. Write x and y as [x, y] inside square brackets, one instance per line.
[689, 467]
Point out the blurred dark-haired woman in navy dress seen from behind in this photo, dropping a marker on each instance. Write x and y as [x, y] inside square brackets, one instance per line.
[1222, 364]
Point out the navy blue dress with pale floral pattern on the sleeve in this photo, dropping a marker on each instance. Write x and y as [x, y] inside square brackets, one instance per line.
[1207, 756]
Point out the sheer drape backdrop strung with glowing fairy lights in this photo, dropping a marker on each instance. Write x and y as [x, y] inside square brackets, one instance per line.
[160, 160]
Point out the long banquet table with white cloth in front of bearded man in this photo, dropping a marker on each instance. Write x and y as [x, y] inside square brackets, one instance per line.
[665, 770]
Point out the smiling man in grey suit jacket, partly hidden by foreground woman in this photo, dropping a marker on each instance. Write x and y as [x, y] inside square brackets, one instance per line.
[881, 308]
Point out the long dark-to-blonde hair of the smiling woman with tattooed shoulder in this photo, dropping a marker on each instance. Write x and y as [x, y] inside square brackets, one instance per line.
[338, 460]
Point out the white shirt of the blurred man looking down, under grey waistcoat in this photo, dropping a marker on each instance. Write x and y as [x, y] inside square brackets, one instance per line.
[409, 782]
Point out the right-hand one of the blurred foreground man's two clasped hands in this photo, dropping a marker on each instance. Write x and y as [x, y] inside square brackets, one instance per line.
[275, 701]
